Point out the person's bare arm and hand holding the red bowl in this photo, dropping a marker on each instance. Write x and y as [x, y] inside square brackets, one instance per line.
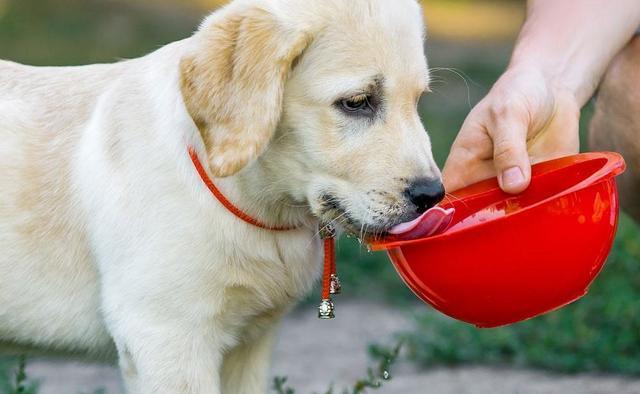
[532, 112]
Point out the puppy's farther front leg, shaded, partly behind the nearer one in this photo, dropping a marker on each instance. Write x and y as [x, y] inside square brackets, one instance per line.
[246, 367]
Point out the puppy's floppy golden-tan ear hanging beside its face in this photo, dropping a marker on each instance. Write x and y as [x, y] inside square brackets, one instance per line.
[233, 84]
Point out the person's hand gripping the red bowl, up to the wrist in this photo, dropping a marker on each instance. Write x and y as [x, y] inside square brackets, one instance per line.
[526, 118]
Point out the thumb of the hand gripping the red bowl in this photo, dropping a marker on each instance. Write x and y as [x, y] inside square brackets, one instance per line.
[510, 156]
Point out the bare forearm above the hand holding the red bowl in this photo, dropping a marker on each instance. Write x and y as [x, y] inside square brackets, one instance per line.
[561, 40]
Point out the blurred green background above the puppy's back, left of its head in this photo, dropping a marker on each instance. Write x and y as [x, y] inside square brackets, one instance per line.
[71, 32]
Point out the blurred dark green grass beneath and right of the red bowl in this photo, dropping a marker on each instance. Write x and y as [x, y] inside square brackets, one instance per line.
[599, 333]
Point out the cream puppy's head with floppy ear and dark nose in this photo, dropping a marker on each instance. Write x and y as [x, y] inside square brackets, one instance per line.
[329, 89]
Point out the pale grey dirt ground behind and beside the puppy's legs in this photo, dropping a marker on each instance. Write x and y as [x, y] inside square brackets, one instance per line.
[310, 351]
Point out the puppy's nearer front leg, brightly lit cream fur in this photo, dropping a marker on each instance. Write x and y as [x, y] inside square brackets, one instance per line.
[163, 350]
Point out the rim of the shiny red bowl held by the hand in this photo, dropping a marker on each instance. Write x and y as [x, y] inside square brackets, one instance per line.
[613, 166]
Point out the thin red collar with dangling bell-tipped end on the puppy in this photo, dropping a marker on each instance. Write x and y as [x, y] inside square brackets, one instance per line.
[330, 281]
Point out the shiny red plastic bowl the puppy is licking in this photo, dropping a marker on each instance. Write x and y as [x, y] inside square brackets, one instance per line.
[508, 258]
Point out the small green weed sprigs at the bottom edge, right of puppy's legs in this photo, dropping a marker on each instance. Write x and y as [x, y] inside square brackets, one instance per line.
[375, 378]
